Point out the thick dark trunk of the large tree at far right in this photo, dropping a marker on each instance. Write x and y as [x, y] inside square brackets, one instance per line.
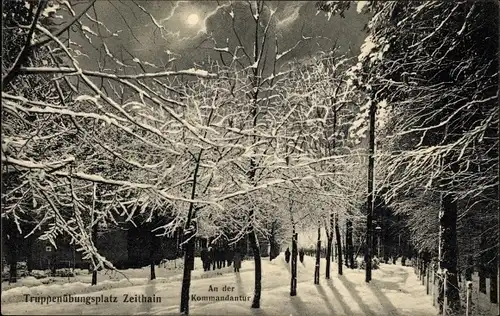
[449, 248]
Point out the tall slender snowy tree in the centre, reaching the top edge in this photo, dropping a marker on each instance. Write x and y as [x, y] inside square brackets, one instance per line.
[255, 81]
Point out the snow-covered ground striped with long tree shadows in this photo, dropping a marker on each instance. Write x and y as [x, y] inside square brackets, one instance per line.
[393, 291]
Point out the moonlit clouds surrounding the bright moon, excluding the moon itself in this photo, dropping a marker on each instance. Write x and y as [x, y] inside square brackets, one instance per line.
[292, 20]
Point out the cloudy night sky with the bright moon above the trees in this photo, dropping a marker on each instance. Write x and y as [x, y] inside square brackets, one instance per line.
[188, 29]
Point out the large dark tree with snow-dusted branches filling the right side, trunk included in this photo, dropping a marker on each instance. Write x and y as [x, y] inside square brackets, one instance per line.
[438, 90]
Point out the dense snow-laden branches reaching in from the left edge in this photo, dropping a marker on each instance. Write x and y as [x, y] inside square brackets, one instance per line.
[66, 126]
